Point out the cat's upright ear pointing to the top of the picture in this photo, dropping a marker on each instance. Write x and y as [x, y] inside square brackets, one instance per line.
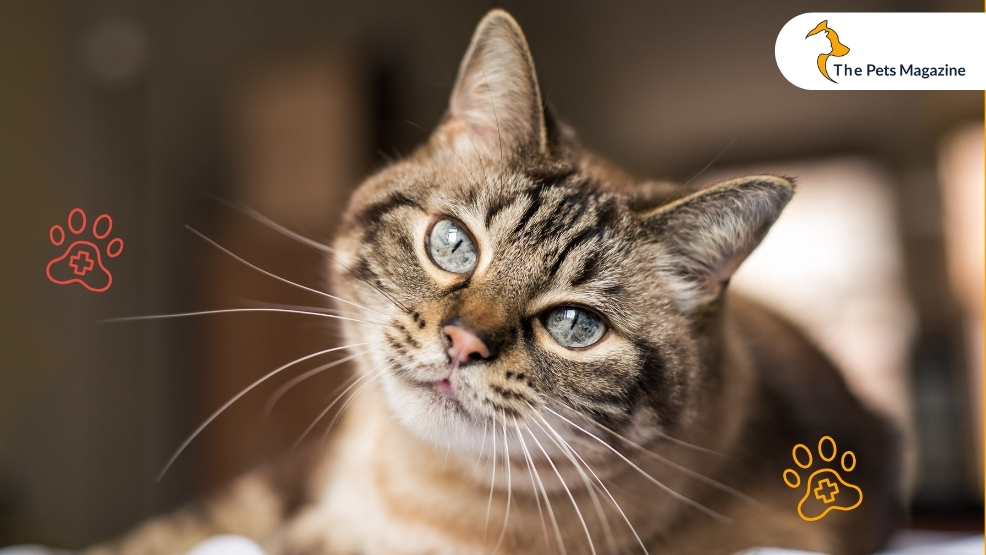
[496, 103]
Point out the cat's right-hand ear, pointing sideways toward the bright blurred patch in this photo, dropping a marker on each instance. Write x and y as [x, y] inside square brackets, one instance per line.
[705, 236]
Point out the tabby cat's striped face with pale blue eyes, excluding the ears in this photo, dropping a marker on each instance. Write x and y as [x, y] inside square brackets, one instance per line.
[546, 273]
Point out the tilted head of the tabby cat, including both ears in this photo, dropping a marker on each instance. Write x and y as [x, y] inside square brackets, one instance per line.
[506, 272]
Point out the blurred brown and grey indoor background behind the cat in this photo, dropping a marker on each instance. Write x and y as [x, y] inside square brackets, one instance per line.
[147, 111]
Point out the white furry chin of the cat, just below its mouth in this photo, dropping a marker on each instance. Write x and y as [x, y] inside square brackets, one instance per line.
[434, 414]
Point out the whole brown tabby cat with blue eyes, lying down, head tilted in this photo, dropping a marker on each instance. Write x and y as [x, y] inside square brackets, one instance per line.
[553, 363]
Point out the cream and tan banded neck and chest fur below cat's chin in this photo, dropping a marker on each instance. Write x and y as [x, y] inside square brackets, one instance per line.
[410, 481]
